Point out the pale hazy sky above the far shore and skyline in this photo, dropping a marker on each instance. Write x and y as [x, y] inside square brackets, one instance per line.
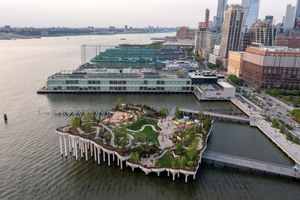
[135, 13]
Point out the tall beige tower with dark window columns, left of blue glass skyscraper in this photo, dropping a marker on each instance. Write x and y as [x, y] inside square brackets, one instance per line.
[231, 33]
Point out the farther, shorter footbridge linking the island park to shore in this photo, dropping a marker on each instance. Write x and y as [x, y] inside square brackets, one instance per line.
[216, 115]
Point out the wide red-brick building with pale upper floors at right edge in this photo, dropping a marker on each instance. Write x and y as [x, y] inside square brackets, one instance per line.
[272, 67]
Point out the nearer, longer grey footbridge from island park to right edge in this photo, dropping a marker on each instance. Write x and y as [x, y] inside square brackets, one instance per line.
[252, 164]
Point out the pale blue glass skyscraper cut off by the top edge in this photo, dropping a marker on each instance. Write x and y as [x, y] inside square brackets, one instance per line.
[251, 10]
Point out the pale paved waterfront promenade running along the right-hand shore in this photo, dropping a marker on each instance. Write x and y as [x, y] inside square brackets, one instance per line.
[291, 149]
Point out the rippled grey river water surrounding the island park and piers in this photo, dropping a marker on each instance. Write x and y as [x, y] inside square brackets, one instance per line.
[30, 163]
